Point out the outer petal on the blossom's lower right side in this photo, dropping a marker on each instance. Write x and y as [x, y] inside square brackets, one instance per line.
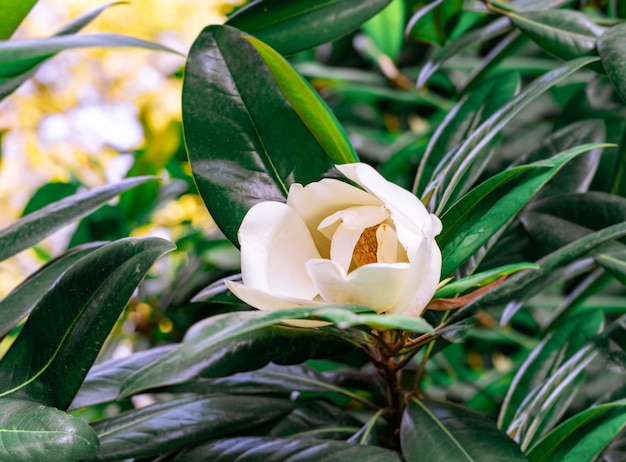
[424, 277]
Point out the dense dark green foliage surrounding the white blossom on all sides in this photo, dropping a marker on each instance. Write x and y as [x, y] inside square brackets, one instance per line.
[505, 118]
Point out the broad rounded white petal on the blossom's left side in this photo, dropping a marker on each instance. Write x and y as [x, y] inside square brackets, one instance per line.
[275, 245]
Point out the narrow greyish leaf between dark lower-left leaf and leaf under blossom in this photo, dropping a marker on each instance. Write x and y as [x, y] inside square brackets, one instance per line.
[104, 380]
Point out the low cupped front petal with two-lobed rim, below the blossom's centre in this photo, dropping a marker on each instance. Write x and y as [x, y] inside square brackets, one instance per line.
[377, 286]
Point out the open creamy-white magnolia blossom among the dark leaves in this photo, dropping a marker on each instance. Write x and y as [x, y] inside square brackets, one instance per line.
[336, 243]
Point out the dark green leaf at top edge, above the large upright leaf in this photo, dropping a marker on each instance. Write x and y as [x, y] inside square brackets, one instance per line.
[298, 25]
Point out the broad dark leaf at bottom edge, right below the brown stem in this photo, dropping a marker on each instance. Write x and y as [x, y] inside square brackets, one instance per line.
[436, 431]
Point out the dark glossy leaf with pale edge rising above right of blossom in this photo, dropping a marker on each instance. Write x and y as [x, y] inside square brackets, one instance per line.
[460, 121]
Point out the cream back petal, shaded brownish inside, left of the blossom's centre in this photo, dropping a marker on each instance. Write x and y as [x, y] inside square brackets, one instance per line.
[316, 201]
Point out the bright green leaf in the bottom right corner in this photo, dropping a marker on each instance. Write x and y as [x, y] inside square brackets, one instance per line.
[583, 436]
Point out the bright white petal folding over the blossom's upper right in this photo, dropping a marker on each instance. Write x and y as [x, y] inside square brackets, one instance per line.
[406, 209]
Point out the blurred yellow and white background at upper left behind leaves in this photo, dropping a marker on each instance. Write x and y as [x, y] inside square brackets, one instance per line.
[84, 109]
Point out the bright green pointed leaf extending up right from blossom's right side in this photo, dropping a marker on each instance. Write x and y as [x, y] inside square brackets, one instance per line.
[489, 207]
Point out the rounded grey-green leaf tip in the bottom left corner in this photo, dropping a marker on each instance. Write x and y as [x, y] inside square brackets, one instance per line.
[31, 432]
